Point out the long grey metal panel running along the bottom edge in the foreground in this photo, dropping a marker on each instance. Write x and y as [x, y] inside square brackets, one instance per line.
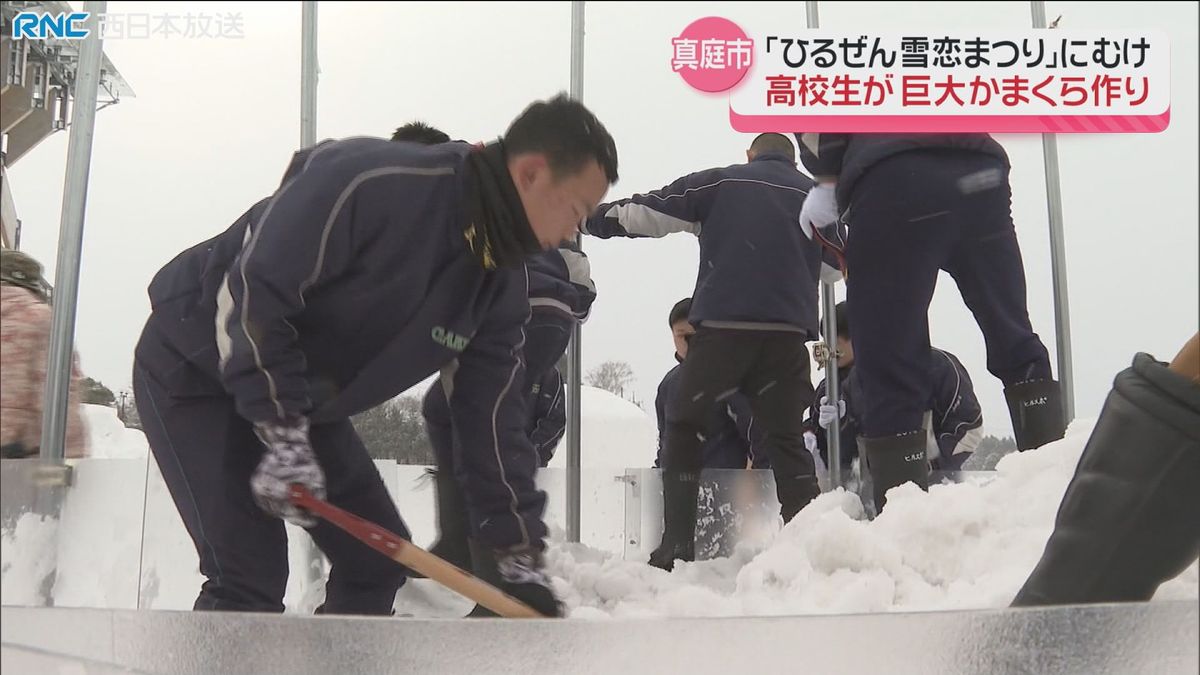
[1120, 640]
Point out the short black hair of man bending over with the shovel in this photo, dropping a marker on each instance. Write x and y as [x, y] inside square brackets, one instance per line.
[567, 133]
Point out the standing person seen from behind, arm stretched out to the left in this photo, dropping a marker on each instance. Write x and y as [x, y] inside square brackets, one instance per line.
[755, 304]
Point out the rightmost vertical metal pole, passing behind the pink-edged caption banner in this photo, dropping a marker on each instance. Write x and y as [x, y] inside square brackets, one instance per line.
[1058, 252]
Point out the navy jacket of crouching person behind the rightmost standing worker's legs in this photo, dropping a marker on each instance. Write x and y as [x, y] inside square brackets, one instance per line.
[953, 405]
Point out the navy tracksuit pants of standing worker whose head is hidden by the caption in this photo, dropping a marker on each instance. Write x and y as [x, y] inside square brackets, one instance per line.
[911, 216]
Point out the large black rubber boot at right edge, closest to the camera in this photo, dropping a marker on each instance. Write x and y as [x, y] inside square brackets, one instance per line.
[1129, 519]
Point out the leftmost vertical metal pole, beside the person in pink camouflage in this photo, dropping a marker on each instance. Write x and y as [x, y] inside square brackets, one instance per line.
[67, 277]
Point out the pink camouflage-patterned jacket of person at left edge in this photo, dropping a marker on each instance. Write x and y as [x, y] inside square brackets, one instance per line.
[26, 320]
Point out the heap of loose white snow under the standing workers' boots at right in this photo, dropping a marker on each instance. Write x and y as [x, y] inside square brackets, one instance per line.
[958, 547]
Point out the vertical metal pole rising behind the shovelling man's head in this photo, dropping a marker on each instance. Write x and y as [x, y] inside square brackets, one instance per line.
[574, 355]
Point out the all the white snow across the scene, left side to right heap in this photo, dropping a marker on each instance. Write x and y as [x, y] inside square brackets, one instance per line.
[958, 547]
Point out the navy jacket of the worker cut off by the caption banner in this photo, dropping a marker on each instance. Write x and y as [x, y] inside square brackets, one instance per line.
[848, 157]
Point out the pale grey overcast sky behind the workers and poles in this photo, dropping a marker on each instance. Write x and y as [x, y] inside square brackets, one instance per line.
[215, 122]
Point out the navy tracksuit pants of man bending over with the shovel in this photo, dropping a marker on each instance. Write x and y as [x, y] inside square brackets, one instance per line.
[207, 453]
